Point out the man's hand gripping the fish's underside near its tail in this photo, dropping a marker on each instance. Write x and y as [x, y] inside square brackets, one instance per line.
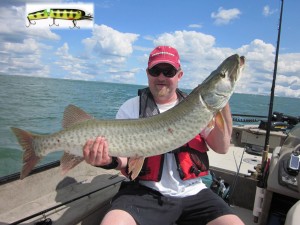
[95, 152]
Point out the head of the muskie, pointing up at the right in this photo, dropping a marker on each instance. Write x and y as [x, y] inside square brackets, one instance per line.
[218, 87]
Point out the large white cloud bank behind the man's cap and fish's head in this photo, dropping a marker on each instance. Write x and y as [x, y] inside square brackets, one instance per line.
[200, 56]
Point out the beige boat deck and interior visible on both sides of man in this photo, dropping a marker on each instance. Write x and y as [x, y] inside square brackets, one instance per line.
[82, 196]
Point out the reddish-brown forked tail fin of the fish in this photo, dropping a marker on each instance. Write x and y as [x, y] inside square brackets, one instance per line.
[30, 159]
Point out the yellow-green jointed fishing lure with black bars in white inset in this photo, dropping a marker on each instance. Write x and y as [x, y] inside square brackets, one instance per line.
[63, 14]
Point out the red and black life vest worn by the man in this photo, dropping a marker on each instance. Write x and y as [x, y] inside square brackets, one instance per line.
[191, 159]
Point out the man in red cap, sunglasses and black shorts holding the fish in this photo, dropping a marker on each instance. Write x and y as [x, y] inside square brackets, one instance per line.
[169, 188]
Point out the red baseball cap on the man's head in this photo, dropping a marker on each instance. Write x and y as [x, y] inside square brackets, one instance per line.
[164, 54]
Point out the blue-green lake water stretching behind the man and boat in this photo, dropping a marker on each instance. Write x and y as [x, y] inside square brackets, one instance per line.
[37, 104]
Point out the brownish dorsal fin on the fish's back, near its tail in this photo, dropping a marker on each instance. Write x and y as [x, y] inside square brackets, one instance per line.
[74, 115]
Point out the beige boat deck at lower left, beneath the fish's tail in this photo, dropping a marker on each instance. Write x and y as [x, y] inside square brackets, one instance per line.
[65, 199]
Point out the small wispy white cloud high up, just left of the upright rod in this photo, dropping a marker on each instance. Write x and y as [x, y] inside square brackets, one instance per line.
[224, 16]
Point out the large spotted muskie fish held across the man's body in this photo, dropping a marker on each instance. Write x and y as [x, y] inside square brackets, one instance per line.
[136, 138]
